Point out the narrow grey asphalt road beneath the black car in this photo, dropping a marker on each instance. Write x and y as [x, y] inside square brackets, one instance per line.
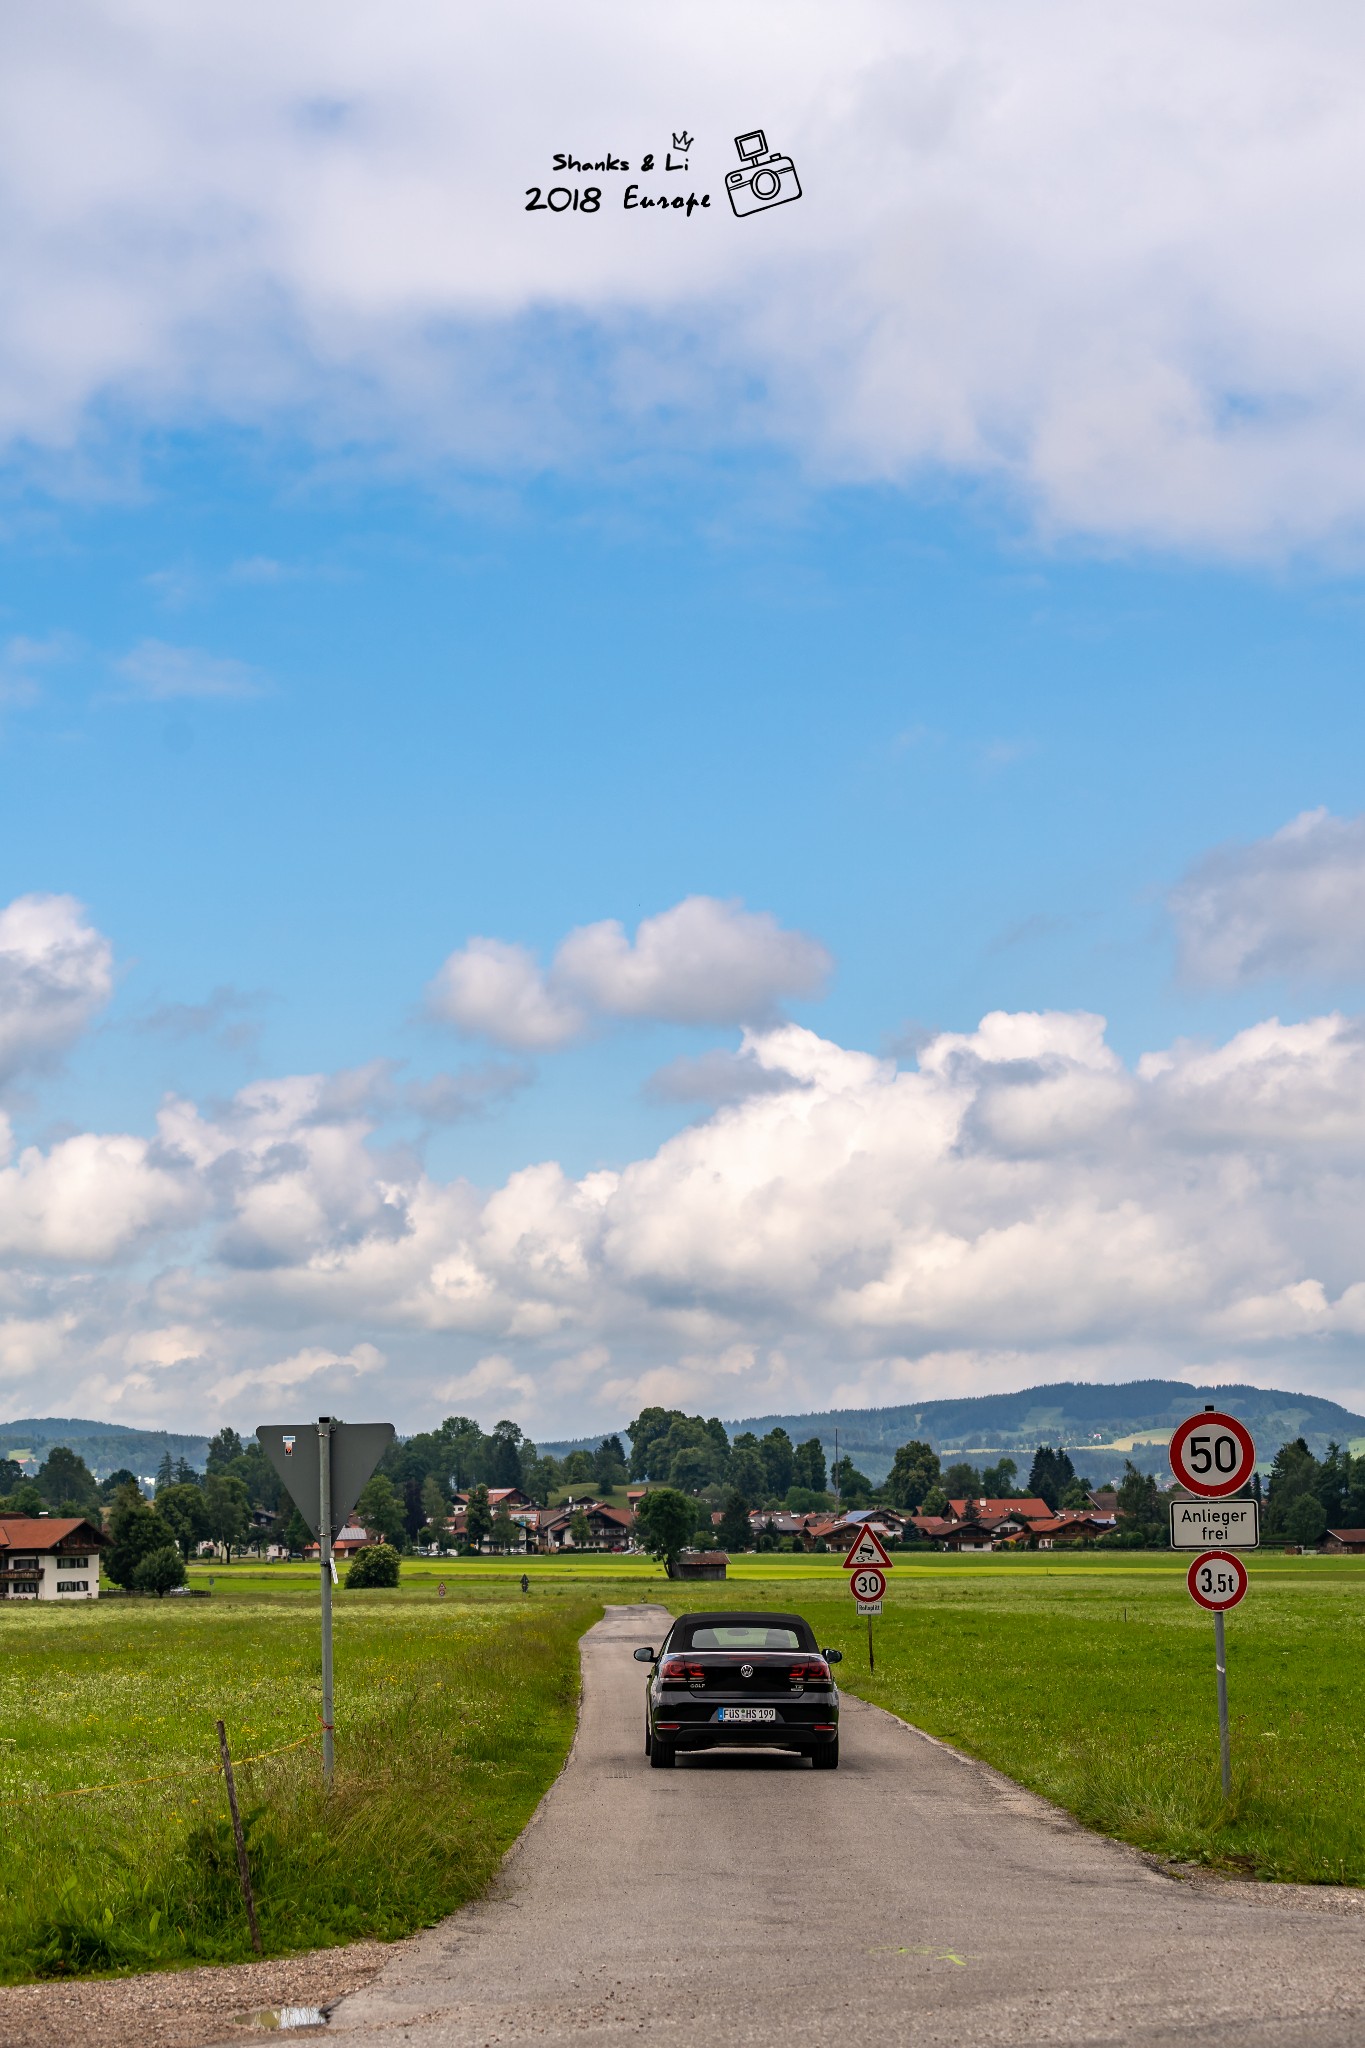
[910, 1897]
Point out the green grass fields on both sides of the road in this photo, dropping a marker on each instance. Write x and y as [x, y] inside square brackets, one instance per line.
[1088, 1678]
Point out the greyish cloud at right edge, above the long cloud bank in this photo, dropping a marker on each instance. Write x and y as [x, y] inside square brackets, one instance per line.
[1288, 906]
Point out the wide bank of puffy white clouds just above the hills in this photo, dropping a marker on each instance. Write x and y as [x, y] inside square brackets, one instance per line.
[1022, 1205]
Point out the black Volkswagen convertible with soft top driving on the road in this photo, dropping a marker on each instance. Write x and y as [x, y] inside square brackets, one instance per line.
[742, 1680]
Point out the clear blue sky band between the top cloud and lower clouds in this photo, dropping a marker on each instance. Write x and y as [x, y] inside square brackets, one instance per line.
[973, 765]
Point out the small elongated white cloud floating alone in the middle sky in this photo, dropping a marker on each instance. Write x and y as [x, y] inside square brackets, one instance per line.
[703, 962]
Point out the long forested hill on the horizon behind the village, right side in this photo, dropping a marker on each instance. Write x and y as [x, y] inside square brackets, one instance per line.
[1102, 1424]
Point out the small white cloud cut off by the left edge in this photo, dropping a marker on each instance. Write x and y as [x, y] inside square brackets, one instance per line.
[56, 974]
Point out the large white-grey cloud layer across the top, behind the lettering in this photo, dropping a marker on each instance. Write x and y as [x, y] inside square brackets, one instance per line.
[1094, 255]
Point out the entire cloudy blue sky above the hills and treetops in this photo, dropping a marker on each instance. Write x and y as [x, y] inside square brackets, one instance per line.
[932, 603]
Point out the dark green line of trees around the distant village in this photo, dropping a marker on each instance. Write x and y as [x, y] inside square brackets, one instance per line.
[238, 1502]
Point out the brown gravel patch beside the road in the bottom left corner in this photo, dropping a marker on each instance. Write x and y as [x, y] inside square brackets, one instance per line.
[181, 2008]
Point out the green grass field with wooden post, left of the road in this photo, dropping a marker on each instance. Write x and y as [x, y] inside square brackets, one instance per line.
[453, 1717]
